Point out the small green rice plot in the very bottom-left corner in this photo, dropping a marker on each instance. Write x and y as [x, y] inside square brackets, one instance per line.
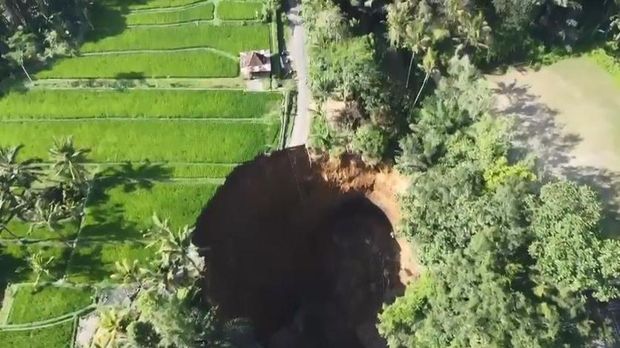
[57, 336]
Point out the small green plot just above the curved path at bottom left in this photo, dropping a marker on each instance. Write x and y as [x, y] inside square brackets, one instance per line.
[48, 302]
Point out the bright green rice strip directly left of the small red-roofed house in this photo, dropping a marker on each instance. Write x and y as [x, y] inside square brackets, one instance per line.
[144, 65]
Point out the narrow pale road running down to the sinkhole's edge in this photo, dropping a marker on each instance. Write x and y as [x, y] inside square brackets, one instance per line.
[301, 128]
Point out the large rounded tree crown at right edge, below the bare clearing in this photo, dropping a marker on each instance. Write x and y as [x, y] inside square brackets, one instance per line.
[568, 248]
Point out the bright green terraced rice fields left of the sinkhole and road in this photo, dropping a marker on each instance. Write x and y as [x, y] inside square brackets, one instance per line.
[154, 146]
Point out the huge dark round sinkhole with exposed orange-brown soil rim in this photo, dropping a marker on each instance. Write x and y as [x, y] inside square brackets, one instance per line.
[305, 250]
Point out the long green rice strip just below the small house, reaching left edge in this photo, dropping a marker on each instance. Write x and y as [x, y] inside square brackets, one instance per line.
[50, 104]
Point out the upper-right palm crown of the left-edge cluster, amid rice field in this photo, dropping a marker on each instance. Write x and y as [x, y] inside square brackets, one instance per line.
[69, 161]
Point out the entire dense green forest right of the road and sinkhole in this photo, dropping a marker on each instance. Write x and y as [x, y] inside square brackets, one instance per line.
[512, 259]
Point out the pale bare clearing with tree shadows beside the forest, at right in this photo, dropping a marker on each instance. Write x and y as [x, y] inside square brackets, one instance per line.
[568, 114]
